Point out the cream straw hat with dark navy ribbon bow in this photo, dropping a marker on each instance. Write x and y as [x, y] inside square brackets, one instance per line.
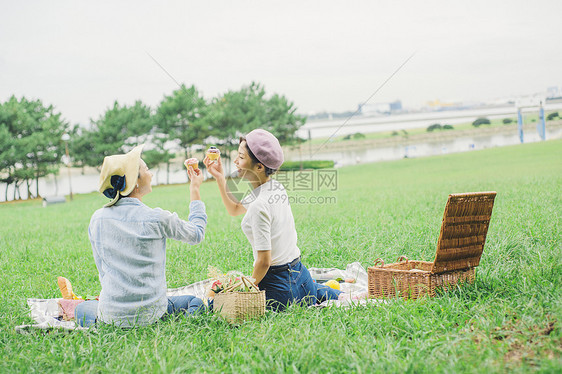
[119, 174]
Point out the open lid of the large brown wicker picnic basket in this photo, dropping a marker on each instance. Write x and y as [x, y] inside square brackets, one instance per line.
[463, 231]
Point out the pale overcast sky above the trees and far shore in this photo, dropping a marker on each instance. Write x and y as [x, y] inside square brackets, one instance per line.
[80, 56]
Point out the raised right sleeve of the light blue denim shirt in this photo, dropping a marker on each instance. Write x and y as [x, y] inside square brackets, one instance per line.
[191, 231]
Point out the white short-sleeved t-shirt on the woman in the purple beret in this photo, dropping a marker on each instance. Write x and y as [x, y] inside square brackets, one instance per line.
[269, 224]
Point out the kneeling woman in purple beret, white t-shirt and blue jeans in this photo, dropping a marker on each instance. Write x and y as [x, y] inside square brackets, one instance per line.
[269, 224]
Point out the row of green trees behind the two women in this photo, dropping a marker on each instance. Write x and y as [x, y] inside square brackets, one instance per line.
[31, 134]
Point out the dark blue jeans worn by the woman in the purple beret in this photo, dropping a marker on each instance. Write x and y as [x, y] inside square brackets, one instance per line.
[292, 283]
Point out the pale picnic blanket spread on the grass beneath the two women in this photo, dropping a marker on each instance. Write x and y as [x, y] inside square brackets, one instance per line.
[47, 315]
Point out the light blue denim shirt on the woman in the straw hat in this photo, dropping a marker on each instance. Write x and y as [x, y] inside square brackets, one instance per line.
[129, 247]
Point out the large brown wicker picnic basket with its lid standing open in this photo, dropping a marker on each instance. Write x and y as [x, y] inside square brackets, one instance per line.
[459, 248]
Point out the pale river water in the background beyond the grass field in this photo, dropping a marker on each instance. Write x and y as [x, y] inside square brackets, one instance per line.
[88, 181]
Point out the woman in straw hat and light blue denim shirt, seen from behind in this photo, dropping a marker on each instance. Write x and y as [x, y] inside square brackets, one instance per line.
[129, 246]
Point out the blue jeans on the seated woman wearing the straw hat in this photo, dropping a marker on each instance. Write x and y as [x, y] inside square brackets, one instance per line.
[86, 312]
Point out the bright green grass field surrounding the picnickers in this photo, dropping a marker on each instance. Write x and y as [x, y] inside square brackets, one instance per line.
[509, 319]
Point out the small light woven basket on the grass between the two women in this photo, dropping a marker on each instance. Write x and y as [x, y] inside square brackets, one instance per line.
[238, 306]
